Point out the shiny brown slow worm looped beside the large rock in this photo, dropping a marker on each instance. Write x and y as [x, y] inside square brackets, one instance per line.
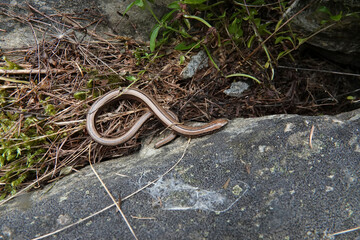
[168, 118]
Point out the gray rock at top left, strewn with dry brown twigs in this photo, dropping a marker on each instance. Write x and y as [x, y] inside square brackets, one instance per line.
[137, 25]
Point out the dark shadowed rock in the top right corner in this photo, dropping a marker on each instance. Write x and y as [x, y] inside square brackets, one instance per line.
[341, 42]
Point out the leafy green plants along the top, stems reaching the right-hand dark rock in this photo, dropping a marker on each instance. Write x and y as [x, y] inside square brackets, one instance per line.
[239, 24]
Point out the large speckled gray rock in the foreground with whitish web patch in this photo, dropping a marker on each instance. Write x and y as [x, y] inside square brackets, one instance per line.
[257, 178]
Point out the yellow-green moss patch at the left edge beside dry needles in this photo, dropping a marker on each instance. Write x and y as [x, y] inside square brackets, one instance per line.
[20, 149]
